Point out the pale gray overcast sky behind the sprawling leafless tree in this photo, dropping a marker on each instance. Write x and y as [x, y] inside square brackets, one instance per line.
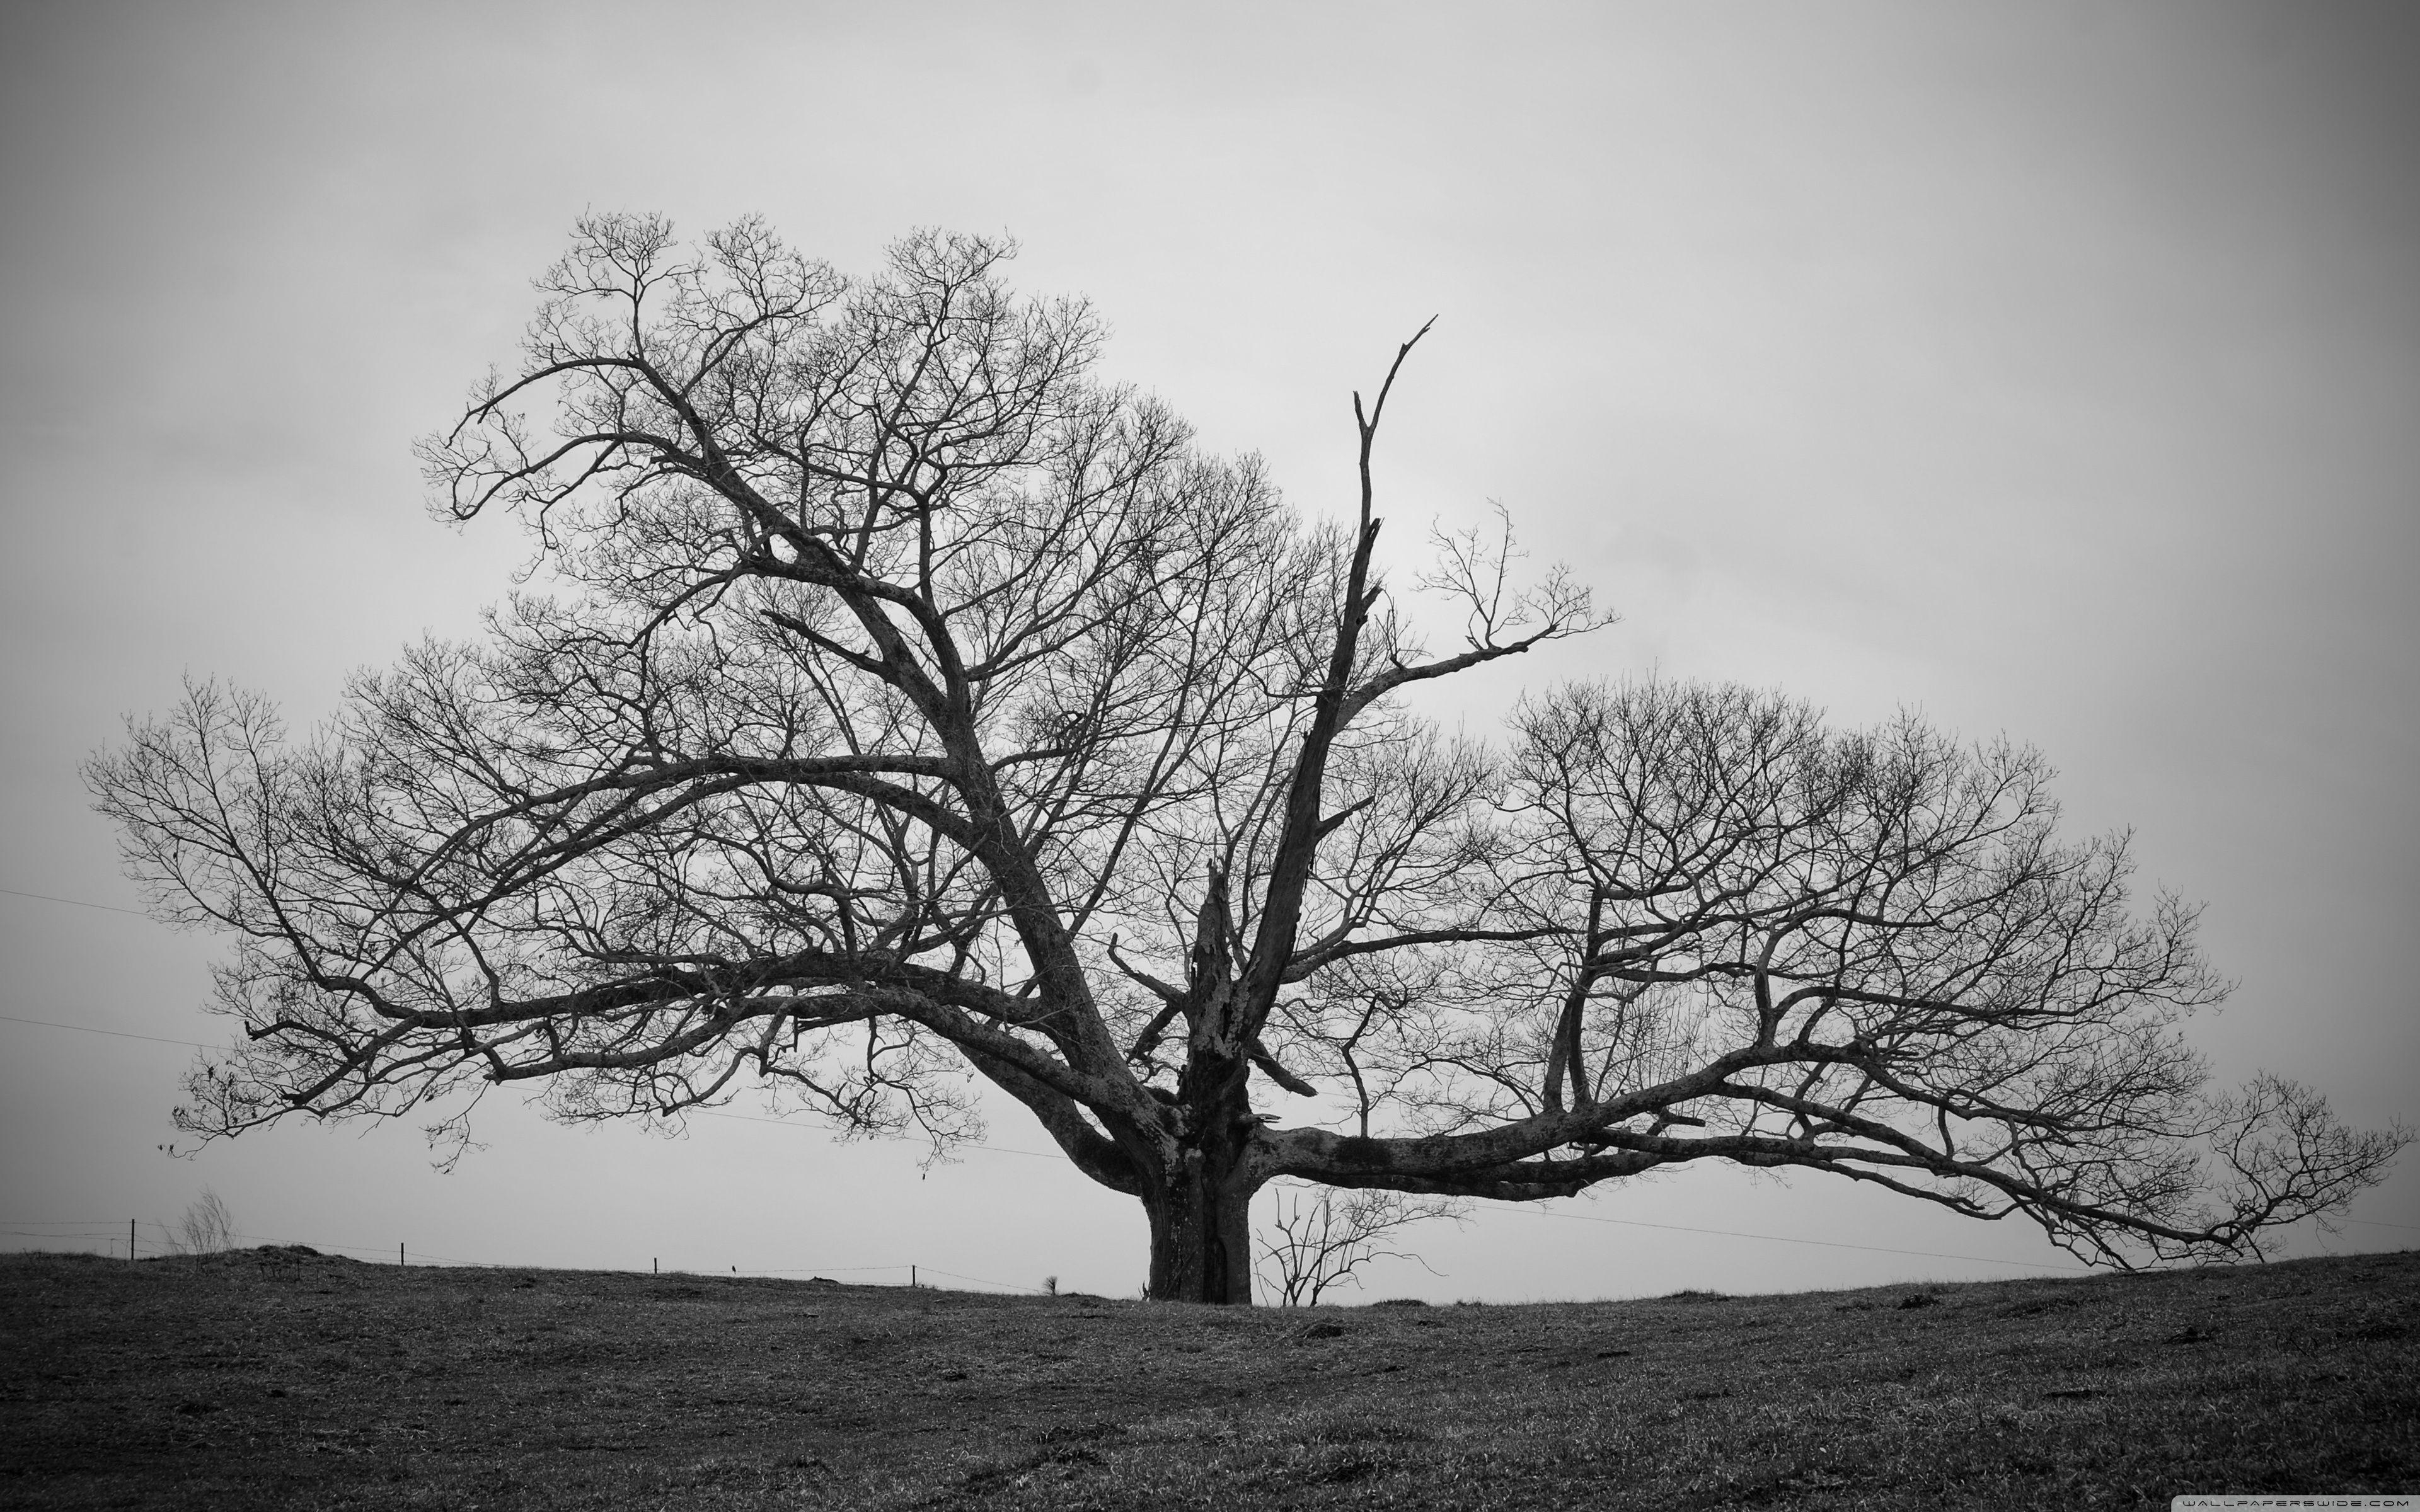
[2049, 369]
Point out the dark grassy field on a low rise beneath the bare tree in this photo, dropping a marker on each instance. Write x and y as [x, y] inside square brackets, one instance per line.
[289, 1380]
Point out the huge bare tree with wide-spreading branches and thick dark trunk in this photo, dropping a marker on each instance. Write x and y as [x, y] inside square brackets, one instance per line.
[894, 705]
